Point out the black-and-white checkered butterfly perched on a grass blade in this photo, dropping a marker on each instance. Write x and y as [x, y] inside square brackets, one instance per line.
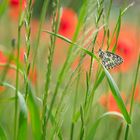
[109, 59]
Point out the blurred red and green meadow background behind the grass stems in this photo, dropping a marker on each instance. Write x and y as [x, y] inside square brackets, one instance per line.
[128, 47]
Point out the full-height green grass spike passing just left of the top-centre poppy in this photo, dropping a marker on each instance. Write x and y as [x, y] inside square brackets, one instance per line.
[55, 26]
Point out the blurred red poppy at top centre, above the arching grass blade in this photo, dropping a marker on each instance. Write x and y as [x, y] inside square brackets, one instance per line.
[68, 22]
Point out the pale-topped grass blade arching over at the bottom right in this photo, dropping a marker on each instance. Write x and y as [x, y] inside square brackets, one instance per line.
[92, 131]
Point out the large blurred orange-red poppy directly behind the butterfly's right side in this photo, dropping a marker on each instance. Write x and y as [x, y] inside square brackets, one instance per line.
[127, 47]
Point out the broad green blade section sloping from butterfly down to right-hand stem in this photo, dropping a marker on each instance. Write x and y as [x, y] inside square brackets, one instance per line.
[116, 93]
